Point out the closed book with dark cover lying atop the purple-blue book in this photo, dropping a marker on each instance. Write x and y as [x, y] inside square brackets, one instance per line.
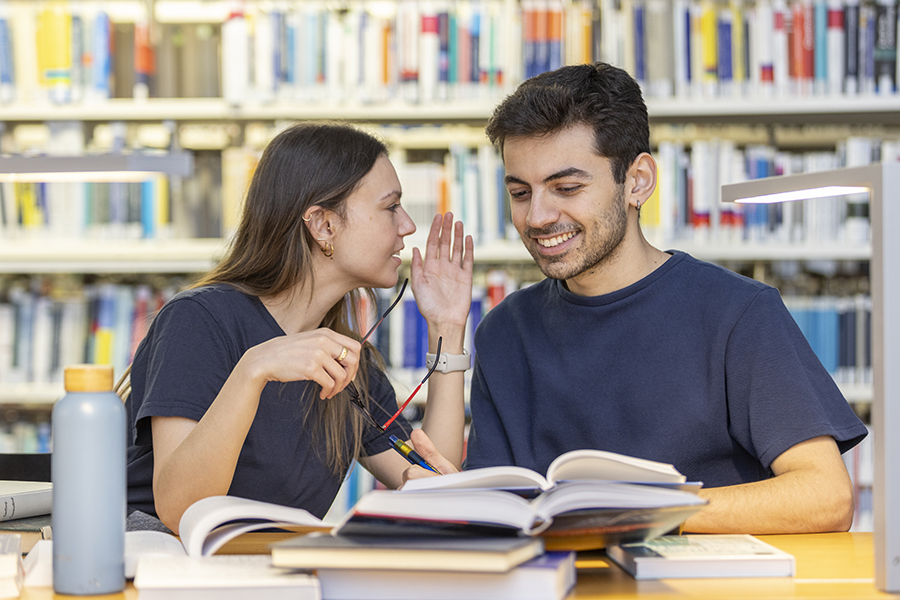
[323, 550]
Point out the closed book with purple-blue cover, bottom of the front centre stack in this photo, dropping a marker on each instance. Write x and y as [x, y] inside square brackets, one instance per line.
[548, 577]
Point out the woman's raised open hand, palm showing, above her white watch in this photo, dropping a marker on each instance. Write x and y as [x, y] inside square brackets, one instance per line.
[442, 280]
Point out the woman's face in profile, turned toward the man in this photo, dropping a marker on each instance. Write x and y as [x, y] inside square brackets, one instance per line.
[368, 243]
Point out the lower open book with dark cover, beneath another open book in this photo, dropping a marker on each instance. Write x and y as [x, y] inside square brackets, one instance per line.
[612, 512]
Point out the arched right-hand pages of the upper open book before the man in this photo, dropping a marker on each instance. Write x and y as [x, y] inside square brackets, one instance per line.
[609, 466]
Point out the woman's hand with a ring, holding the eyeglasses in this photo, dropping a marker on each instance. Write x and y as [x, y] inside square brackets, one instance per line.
[322, 355]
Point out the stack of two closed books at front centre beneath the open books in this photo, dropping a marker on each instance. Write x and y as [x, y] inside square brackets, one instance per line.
[430, 568]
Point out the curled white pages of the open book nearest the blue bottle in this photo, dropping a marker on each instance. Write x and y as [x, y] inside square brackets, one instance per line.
[202, 517]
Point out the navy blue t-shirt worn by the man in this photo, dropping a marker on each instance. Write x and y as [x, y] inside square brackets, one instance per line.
[693, 365]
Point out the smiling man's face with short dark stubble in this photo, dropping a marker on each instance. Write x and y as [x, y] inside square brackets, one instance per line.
[567, 208]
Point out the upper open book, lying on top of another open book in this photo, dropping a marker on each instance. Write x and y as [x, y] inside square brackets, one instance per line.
[576, 465]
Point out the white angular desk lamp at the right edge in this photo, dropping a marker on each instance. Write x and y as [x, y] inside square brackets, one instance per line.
[882, 182]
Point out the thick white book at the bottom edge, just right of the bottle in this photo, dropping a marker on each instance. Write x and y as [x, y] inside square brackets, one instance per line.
[223, 577]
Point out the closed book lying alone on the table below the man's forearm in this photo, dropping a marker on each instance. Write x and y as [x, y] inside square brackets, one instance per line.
[690, 556]
